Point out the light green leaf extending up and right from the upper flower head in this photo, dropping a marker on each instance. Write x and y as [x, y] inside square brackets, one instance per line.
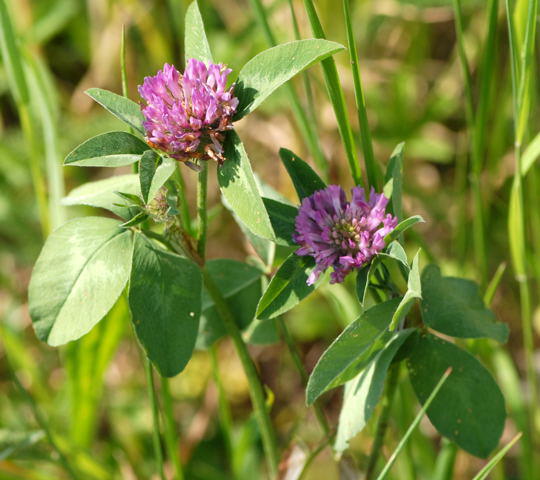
[271, 68]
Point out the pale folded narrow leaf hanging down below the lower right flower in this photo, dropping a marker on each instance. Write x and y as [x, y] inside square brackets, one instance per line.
[363, 392]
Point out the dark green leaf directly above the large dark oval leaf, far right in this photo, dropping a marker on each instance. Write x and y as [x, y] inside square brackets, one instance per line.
[454, 306]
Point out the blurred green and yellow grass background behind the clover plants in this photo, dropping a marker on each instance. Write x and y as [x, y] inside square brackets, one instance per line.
[443, 87]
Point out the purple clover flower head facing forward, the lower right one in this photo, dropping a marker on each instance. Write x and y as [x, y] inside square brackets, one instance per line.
[341, 234]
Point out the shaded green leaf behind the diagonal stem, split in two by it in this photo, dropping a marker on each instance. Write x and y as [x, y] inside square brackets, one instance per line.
[240, 285]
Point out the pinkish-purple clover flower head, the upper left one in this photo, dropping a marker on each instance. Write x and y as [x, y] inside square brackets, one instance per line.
[186, 114]
